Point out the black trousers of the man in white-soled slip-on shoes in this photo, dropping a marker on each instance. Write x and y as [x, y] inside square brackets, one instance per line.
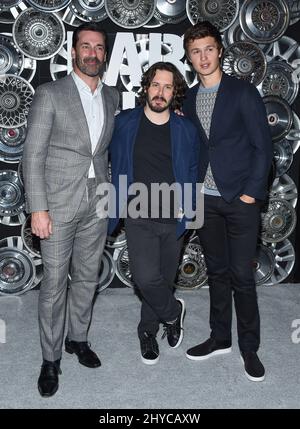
[229, 238]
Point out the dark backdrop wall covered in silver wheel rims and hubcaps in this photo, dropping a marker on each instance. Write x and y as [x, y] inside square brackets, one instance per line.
[262, 45]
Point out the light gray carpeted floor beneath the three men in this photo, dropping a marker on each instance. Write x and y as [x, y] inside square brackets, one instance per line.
[124, 381]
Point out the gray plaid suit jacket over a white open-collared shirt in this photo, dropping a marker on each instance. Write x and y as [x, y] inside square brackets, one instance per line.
[57, 151]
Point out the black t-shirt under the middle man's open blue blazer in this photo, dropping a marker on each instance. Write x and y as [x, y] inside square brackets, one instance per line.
[152, 163]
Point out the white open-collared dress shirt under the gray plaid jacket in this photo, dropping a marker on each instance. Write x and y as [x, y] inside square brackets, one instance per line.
[93, 108]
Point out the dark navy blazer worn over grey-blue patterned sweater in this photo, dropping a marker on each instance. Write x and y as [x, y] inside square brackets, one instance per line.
[240, 147]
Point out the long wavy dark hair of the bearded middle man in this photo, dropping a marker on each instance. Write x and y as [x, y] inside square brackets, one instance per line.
[179, 83]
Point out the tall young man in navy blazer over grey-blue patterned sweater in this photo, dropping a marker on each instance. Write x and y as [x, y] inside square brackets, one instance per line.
[236, 154]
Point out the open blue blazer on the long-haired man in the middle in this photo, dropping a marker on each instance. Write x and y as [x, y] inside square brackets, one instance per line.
[185, 155]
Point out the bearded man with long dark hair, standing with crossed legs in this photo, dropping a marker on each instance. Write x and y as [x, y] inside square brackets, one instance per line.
[152, 145]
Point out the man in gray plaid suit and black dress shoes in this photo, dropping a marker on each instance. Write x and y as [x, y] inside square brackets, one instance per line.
[65, 157]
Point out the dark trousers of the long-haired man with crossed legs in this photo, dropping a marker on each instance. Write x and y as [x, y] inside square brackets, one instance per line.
[154, 253]
